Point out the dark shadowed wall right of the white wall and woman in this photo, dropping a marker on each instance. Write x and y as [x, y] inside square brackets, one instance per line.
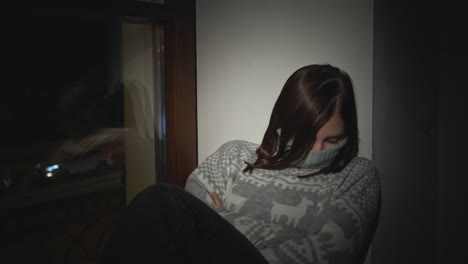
[419, 131]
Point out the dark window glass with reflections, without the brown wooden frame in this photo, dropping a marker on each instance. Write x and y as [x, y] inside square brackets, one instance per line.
[76, 108]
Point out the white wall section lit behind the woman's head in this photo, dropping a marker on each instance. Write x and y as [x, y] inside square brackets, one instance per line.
[247, 49]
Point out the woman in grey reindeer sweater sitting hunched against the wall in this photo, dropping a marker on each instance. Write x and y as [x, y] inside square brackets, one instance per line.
[301, 196]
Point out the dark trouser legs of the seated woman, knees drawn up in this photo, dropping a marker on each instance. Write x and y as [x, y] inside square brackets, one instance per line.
[166, 224]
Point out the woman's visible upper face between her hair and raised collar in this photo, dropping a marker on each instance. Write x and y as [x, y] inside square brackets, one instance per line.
[329, 134]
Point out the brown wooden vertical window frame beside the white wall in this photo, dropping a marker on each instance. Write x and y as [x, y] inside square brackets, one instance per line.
[181, 92]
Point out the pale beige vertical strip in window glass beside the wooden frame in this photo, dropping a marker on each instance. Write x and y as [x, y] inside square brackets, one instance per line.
[142, 66]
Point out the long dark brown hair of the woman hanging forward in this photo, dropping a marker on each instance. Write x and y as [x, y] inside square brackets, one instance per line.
[309, 98]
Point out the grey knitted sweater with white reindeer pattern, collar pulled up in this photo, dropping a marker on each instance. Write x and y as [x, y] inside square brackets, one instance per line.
[320, 219]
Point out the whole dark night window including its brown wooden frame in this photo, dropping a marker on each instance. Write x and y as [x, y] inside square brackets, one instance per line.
[107, 81]
